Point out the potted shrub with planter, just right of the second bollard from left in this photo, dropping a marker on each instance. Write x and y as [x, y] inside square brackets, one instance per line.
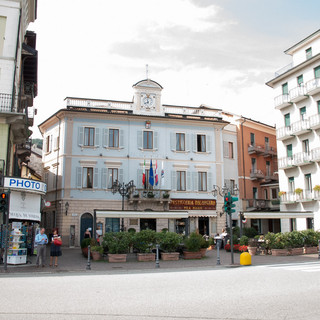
[169, 243]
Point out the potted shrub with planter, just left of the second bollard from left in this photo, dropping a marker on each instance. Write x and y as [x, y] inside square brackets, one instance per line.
[145, 241]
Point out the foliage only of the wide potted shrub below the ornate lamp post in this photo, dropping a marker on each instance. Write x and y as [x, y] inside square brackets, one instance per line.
[117, 242]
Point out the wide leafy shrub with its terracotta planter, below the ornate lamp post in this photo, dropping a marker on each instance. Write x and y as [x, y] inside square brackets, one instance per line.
[117, 244]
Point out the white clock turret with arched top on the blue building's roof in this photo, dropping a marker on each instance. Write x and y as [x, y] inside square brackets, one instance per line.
[147, 97]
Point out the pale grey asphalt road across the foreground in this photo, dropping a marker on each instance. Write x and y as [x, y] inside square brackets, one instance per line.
[289, 291]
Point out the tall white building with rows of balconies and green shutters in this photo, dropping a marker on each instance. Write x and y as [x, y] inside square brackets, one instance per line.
[298, 123]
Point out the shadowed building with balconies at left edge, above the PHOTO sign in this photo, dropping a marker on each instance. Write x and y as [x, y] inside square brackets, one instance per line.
[18, 83]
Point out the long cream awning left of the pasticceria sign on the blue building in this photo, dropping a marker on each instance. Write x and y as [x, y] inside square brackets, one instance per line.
[142, 214]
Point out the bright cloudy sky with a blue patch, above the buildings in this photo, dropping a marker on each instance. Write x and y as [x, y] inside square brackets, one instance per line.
[214, 52]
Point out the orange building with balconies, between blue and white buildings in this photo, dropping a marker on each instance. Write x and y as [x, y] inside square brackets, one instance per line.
[258, 173]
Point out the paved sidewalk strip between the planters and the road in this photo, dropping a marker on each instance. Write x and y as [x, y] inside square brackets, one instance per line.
[72, 260]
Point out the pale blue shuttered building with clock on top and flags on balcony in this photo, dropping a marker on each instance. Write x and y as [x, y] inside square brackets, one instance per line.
[91, 144]
